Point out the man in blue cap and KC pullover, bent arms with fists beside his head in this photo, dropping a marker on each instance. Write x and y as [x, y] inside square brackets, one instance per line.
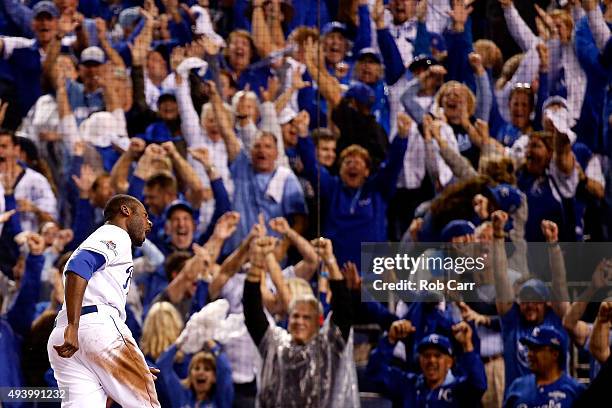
[437, 385]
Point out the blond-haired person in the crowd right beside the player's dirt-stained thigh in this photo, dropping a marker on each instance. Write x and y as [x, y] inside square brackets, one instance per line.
[161, 328]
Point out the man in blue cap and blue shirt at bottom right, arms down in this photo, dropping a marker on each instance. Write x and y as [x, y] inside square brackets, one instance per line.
[548, 385]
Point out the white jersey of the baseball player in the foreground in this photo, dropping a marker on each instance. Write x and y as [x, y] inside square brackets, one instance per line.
[110, 284]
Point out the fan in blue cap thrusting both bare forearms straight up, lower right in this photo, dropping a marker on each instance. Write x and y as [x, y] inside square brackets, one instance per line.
[534, 306]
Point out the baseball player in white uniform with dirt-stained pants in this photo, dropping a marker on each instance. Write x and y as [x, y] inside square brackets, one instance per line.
[91, 350]
